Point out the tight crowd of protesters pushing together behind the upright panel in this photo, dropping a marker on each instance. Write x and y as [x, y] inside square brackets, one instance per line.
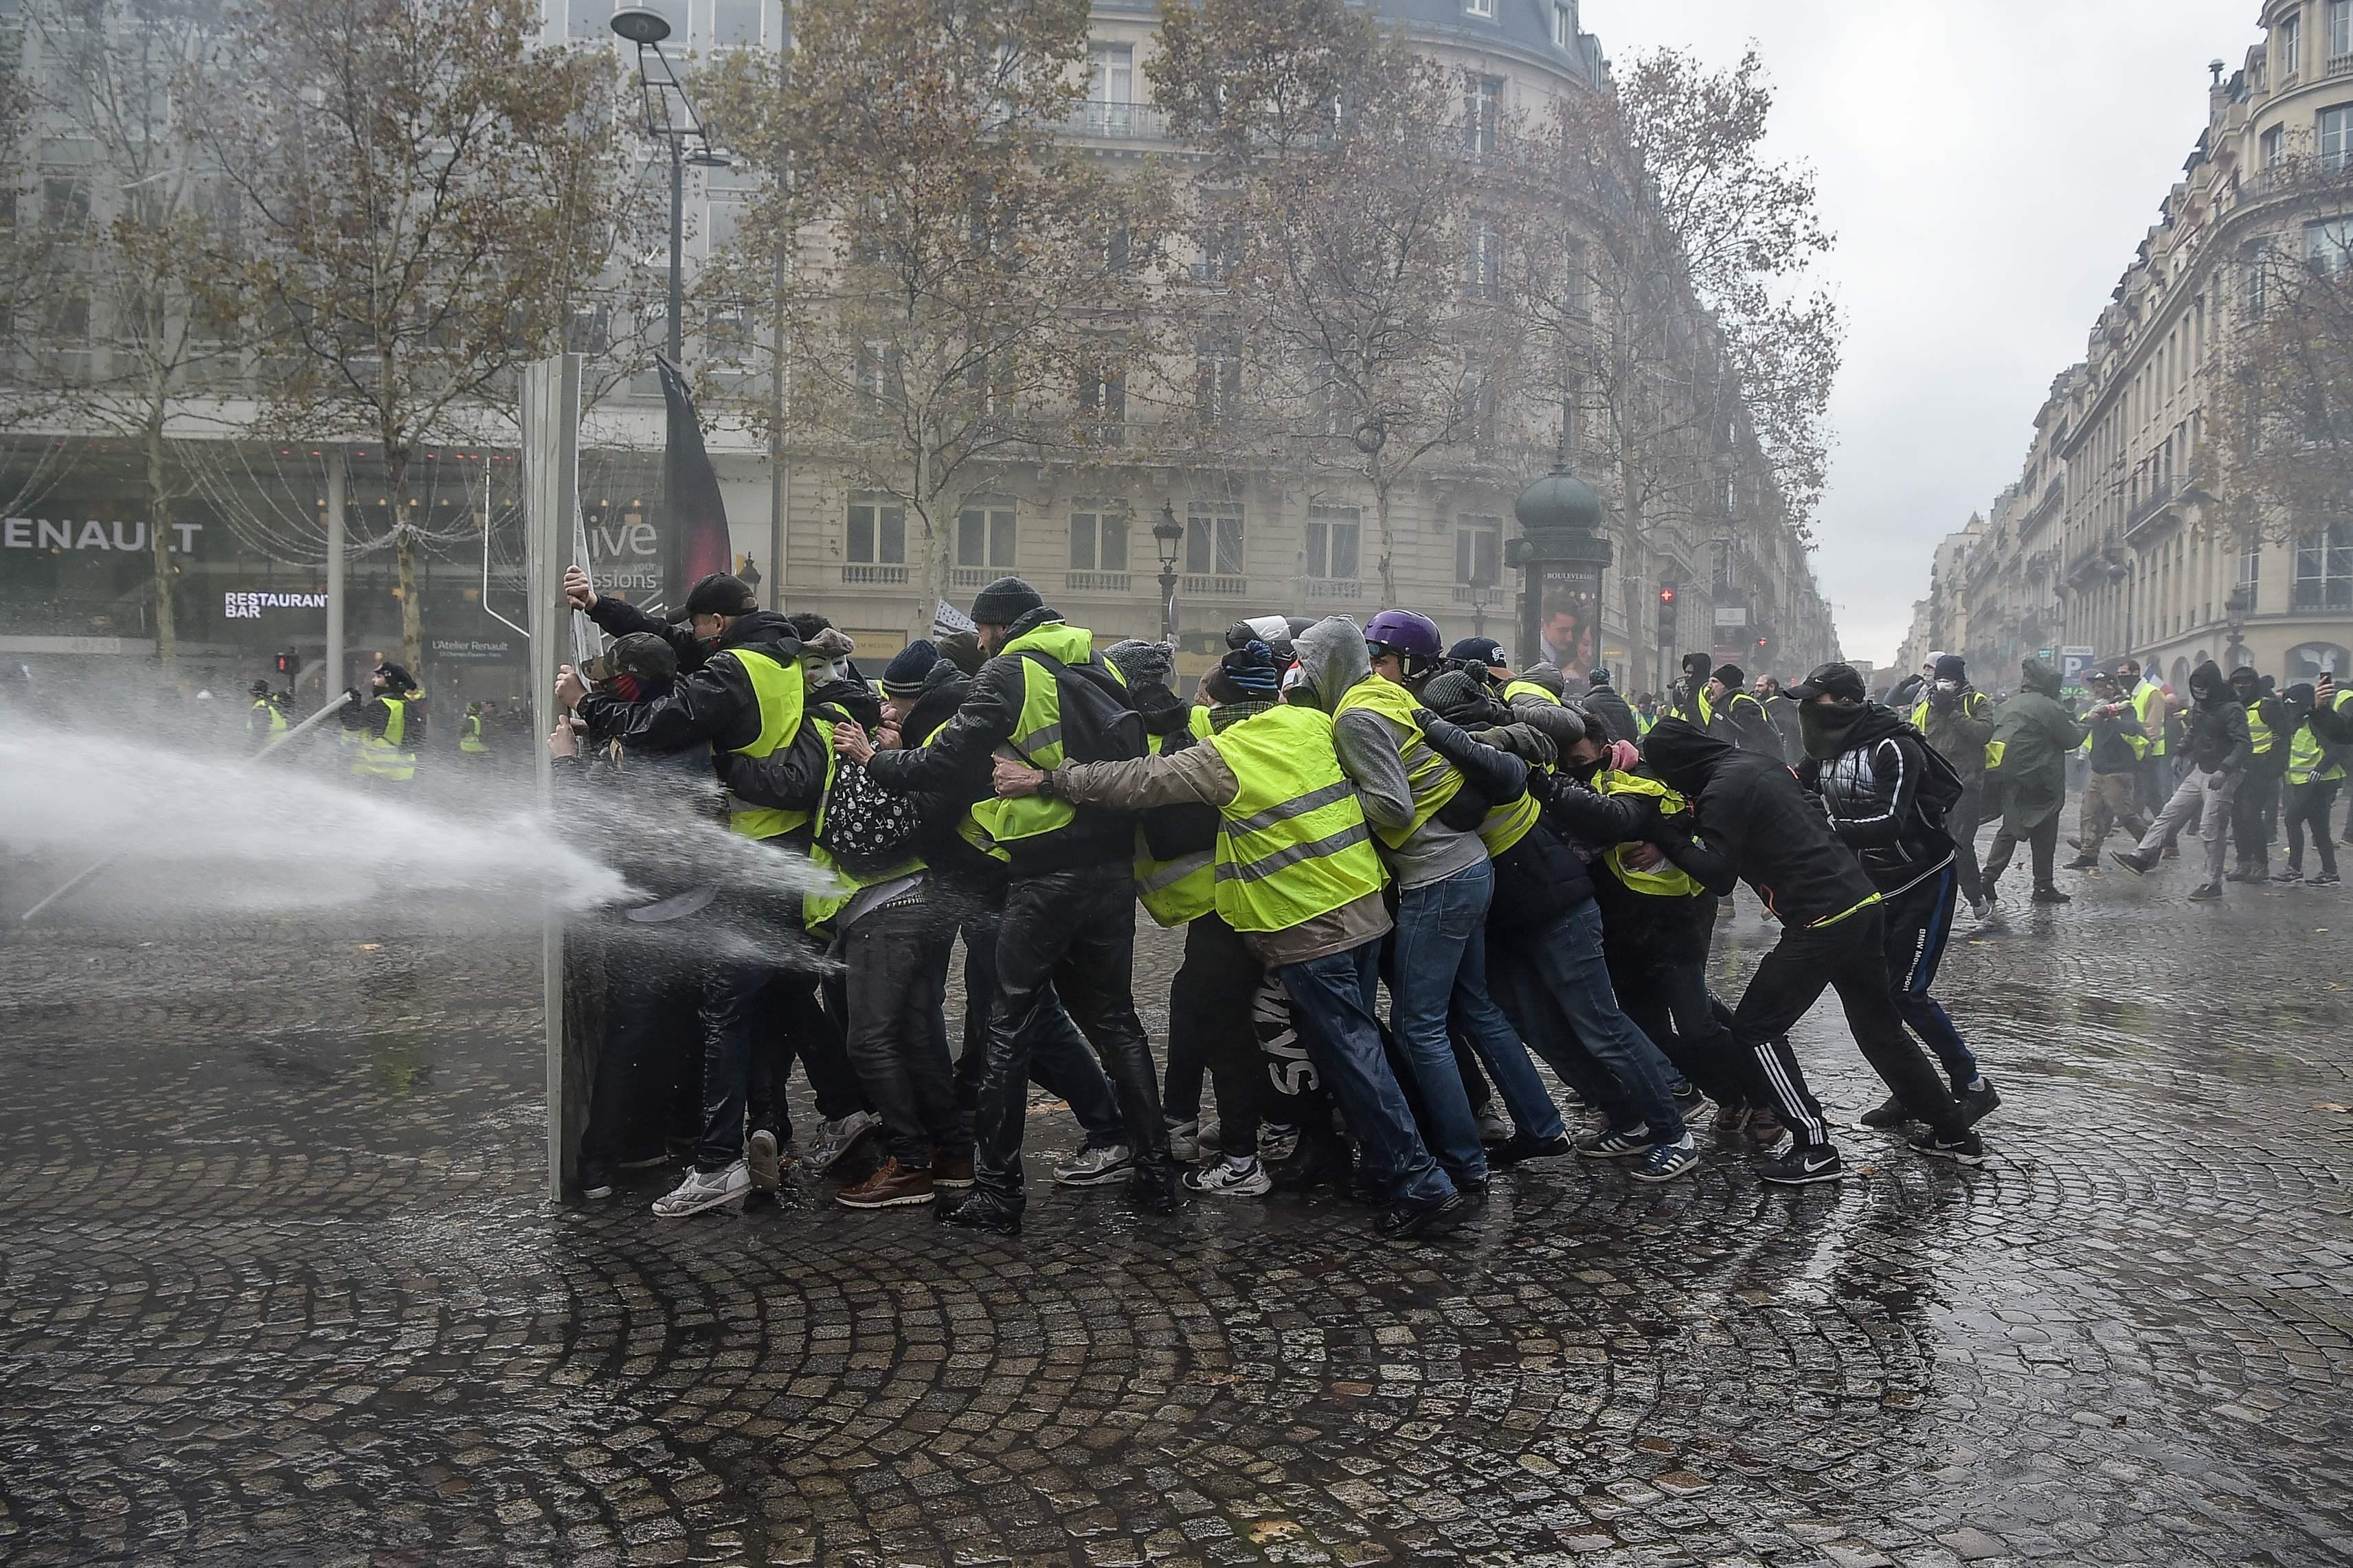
[1531, 869]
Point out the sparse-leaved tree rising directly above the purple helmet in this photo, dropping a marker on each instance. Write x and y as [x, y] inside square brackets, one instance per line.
[1352, 210]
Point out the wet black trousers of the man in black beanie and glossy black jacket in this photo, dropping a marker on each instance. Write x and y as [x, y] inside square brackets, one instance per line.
[1069, 934]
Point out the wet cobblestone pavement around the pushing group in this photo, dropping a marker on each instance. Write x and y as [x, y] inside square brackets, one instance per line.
[276, 1287]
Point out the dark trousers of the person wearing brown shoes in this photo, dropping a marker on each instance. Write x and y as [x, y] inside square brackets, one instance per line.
[898, 986]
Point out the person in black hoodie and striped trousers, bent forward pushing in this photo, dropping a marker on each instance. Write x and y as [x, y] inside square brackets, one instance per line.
[1759, 826]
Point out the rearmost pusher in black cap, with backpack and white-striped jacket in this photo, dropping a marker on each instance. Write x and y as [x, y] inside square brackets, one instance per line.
[1888, 796]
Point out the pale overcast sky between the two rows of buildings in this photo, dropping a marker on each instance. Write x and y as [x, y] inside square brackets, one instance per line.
[1989, 170]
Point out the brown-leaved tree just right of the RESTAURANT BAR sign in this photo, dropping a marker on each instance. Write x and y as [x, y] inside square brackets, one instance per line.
[427, 201]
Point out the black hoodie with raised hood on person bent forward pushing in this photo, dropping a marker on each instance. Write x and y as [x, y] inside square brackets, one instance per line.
[1757, 826]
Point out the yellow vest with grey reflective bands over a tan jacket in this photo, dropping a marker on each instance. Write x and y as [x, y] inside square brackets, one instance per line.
[1293, 843]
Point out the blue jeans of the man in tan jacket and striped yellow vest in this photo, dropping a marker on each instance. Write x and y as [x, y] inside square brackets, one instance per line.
[1345, 1043]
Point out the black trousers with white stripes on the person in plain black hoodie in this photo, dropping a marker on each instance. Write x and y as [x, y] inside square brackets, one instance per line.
[1846, 958]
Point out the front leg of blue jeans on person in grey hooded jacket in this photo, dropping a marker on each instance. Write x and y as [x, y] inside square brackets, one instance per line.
[1439, 925]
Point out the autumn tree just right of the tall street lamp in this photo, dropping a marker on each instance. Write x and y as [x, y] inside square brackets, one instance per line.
[956, 272]
